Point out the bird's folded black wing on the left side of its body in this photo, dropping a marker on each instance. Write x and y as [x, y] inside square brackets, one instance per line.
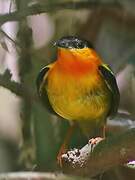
[41, 83]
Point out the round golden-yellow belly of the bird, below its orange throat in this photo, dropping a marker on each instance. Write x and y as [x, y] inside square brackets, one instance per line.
[80, 99]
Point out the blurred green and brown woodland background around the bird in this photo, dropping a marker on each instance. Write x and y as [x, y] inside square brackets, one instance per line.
[30, 137]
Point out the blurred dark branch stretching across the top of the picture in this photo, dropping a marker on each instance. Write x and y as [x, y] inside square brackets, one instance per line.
[51, 7]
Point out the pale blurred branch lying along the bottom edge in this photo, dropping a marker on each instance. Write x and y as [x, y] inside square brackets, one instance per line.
[37, 176]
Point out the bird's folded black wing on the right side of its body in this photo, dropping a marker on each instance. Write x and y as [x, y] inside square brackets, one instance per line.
[111, 83]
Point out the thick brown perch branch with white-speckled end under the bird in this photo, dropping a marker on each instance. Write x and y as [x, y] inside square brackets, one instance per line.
[109, 153]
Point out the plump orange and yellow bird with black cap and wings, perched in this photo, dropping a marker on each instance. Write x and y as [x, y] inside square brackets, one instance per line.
[79, 87]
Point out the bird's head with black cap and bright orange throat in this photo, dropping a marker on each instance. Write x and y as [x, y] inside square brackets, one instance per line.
[76, 55]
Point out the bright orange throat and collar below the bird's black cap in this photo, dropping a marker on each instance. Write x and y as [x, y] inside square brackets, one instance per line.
[78, 62]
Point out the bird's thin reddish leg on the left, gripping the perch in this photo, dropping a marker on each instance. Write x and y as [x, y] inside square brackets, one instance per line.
[65, 144]
